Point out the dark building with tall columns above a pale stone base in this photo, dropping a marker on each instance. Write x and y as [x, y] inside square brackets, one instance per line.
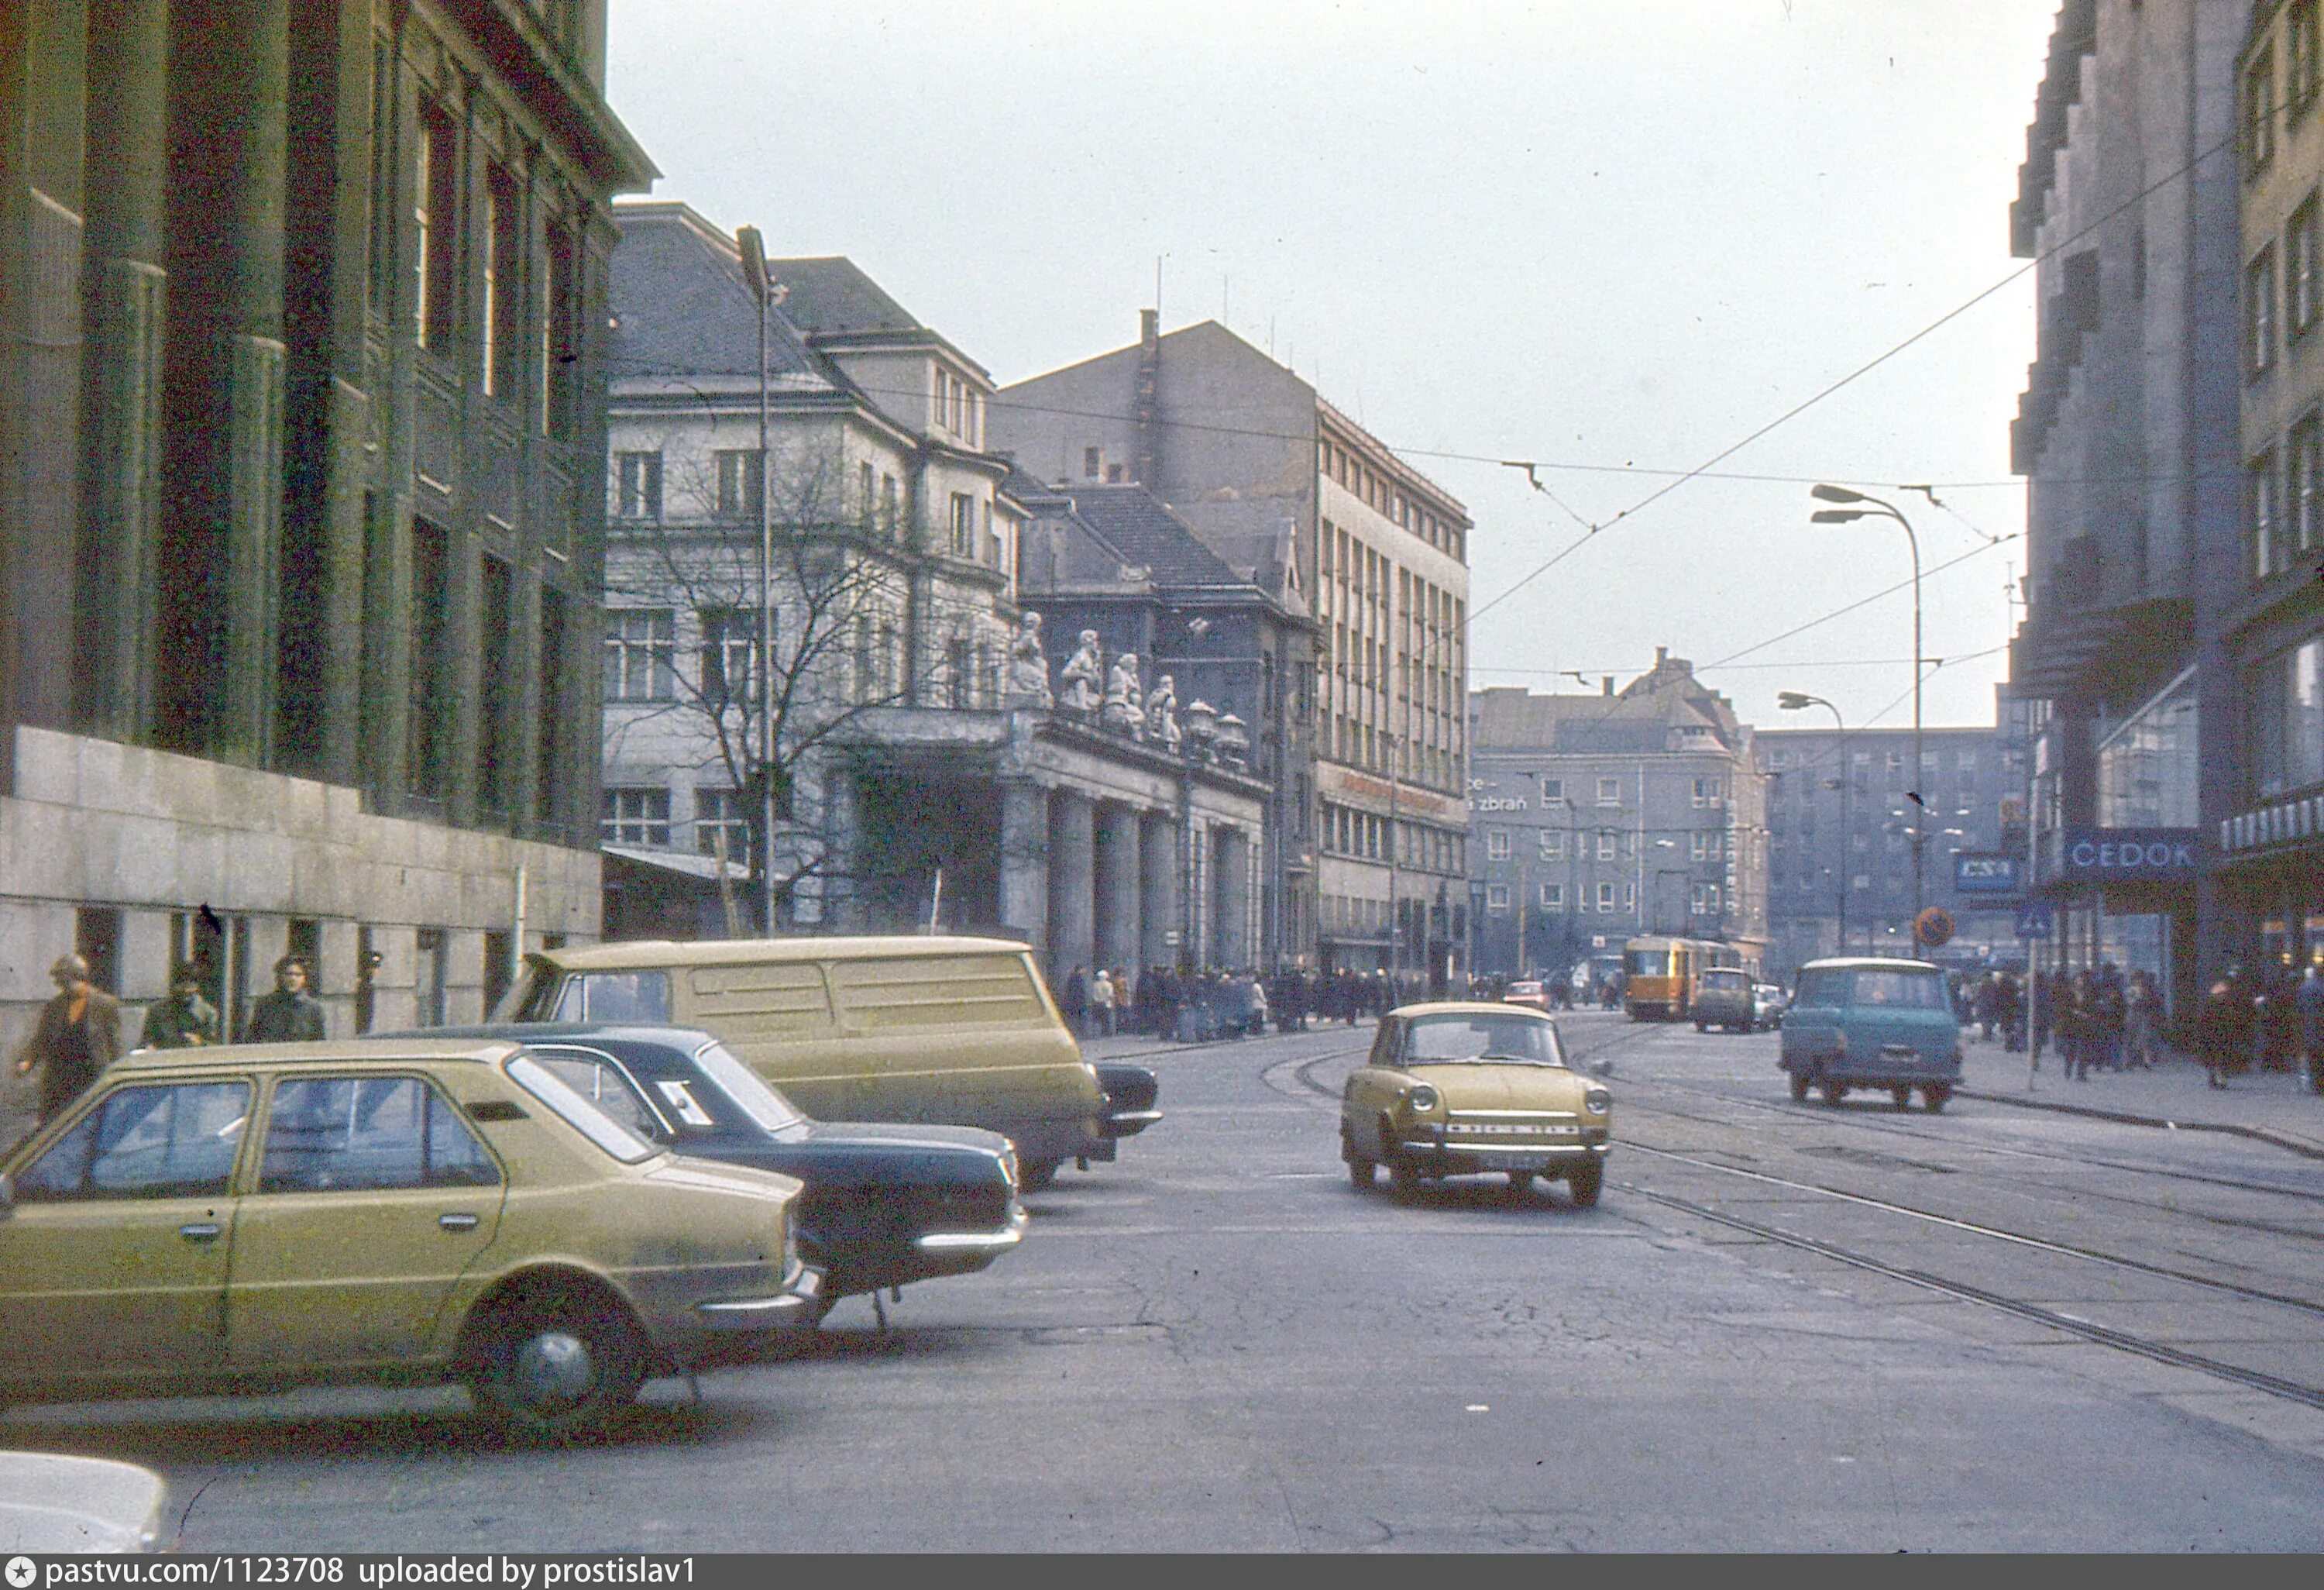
[301, 413]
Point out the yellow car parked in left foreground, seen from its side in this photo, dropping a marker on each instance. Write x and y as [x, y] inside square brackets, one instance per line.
[389, 1212]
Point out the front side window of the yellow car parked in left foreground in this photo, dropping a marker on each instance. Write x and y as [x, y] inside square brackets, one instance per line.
[145, 1143]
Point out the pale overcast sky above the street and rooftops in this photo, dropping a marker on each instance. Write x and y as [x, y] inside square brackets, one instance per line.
[1593, 234]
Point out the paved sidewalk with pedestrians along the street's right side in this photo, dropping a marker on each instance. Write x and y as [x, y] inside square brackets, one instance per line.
[2269, 1108]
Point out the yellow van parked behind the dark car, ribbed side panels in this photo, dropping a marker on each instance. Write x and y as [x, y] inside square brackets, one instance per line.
[891, 1029]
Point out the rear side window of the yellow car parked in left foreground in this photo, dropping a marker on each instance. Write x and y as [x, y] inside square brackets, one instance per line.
[368, 1133]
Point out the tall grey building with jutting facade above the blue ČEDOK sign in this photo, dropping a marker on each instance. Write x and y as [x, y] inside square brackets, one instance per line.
[2135, 478]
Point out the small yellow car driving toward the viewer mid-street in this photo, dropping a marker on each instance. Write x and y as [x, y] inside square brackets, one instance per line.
[1461, 1089]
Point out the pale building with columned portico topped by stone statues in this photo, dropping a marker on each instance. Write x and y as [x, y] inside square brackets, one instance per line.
[935, 757]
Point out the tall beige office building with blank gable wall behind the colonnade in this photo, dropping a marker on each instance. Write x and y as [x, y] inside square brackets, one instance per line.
[1296, 496]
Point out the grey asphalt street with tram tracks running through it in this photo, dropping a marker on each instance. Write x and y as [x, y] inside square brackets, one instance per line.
[1788, 1326]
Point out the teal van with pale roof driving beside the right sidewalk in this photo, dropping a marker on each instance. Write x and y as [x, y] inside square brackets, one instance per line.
[1872, 1024]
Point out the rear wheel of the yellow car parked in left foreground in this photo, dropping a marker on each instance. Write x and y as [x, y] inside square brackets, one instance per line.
[557, 1368]
